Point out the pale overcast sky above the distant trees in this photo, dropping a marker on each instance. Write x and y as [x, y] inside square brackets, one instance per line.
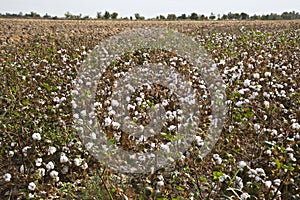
[148, 8]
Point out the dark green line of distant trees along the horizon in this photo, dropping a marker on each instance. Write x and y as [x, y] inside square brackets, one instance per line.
[169, 17]
